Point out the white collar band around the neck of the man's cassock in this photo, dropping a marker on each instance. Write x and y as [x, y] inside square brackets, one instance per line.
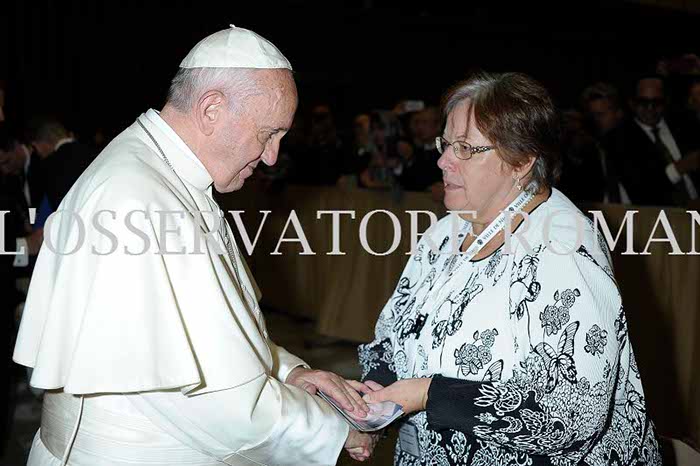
[184, 161]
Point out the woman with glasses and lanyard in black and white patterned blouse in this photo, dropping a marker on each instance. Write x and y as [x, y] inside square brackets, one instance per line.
[516, 350]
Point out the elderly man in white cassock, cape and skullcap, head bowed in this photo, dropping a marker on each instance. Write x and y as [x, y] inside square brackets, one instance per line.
[142, 319]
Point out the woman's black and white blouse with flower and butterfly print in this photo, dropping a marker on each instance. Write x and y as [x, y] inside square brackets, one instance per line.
[528, 350]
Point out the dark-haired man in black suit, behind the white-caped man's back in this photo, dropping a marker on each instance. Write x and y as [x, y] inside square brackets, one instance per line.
[63, 157]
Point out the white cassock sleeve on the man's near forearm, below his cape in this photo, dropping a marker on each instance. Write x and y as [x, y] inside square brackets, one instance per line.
[263, 422]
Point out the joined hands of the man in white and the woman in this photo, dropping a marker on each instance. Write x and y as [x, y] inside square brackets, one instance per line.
[412, 394]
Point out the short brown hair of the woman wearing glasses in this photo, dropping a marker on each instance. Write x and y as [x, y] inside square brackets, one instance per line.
[518, 116]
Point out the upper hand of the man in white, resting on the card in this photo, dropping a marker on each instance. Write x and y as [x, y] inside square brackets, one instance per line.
[342, 391]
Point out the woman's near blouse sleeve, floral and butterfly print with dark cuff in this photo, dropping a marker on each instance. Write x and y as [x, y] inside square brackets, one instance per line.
[575, 393]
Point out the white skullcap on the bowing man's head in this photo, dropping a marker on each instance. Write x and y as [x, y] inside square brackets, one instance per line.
[235, 48]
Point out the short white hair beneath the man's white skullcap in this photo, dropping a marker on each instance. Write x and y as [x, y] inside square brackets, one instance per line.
[237, 84]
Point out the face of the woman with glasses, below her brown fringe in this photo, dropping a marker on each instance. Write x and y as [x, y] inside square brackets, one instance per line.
[484, 184]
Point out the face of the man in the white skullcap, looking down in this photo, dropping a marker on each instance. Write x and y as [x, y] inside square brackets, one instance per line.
[254, 133]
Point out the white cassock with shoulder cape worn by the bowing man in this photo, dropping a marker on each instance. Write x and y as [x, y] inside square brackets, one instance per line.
[173, 363]
